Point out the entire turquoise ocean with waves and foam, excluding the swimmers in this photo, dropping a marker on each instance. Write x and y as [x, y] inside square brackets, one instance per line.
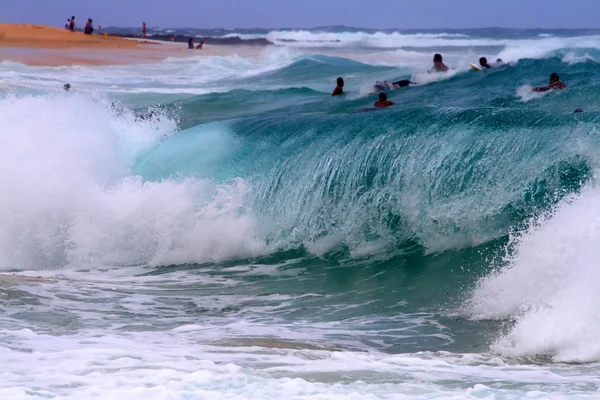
[260, 239]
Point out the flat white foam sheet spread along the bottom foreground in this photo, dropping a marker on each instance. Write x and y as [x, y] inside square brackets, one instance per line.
[173, 365]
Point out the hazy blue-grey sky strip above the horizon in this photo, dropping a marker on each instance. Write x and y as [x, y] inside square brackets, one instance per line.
[310, 13]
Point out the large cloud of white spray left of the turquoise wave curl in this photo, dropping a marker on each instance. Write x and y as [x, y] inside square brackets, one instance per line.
[70, 197]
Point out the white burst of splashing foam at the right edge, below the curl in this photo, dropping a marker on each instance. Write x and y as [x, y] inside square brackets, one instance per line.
[550, 286]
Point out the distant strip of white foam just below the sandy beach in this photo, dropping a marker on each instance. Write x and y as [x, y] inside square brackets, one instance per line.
[198, 75]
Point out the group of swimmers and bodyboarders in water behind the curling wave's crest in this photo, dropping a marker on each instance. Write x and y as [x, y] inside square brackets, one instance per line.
[439, 66]
